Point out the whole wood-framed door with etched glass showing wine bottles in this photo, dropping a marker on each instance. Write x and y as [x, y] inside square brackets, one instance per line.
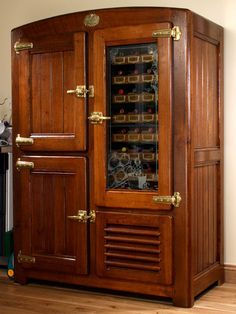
[132, 117]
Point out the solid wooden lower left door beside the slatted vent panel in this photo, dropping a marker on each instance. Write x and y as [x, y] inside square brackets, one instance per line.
[49, 194]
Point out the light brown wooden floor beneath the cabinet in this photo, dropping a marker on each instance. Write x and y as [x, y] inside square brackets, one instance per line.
[38, 298]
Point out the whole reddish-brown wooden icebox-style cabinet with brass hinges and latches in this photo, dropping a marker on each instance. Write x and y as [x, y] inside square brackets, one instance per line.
[118, 124]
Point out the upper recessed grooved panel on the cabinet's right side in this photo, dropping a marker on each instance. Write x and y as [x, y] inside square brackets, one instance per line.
[206, 93]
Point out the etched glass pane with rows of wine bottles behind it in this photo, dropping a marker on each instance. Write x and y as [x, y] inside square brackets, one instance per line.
[132, 132]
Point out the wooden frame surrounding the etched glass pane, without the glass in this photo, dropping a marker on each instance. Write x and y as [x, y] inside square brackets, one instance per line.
[125, 36]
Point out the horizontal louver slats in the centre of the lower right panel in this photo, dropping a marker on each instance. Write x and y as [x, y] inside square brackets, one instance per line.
[132, 247]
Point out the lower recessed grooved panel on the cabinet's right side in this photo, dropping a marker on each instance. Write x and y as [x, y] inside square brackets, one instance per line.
[205, 217]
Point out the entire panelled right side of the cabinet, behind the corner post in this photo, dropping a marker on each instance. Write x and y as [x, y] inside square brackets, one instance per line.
[207, 146]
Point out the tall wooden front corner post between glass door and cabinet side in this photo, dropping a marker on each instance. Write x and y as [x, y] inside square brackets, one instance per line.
[183, 281]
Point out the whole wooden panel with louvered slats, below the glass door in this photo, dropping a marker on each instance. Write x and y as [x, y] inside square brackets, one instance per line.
[134, 247]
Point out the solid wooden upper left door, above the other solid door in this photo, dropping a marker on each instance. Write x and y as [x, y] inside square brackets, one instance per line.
[52, 115]
